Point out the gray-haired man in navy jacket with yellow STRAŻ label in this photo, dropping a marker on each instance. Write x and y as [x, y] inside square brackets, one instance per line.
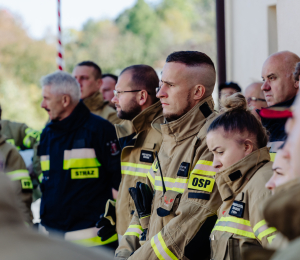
[80, 160]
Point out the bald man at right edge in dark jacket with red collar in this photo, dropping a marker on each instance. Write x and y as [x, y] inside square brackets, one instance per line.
[280, 89]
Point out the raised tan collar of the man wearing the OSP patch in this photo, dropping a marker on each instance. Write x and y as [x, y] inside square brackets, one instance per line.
[190, 123]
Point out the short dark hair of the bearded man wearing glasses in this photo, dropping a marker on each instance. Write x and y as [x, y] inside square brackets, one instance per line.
[144, 77]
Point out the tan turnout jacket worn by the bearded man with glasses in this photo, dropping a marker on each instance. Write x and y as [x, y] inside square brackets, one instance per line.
[140, 141]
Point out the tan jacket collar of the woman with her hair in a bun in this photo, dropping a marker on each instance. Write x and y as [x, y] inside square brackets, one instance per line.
[233, 179]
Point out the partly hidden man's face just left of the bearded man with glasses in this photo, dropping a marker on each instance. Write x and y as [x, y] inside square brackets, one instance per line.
[107, 88]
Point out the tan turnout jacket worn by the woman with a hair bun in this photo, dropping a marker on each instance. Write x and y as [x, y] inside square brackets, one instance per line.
[240, 224]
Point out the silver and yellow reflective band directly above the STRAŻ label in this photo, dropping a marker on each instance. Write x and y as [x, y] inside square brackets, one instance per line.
[80, 158]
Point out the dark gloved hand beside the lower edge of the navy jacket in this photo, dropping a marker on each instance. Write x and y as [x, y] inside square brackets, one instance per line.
[107, 221]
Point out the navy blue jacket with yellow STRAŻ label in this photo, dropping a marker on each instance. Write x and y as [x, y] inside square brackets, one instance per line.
[80, 159]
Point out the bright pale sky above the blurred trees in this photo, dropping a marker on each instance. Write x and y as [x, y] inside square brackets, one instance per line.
[41, 15]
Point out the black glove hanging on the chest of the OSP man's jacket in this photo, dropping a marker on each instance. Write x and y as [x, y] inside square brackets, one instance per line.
[142, 197]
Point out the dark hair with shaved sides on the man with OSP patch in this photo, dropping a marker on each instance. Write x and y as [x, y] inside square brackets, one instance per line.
[206, 75]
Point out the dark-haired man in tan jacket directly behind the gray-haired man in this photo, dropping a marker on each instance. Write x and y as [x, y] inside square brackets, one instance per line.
[88, 74]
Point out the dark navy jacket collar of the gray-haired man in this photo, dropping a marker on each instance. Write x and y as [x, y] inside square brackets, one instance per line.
[78, 117]
